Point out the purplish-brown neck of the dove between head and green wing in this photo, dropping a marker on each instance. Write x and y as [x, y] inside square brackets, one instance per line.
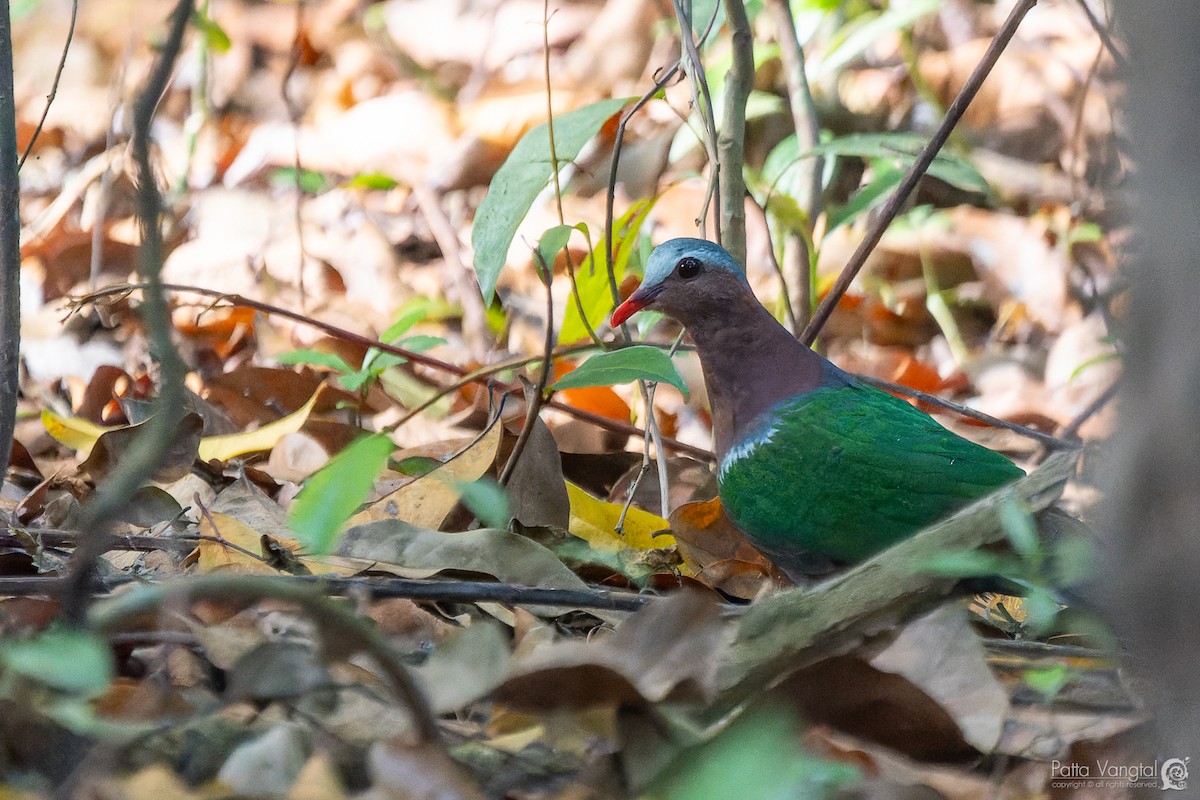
[752, 363]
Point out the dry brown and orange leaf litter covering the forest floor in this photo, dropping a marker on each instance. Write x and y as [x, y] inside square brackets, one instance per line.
[728, 678]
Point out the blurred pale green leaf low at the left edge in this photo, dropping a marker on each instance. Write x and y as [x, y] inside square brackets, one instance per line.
[68, 659]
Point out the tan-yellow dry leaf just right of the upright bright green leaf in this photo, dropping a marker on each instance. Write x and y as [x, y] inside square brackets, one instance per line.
[427, 502]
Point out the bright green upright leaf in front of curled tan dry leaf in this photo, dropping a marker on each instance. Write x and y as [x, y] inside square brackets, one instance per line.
[335, 492]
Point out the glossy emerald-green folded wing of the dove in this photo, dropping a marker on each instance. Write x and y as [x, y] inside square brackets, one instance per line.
[845, 472]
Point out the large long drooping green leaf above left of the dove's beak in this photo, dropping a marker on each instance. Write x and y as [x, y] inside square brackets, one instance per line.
[520, 181]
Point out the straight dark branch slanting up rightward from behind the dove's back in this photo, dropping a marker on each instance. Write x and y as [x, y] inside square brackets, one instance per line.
[901, 196]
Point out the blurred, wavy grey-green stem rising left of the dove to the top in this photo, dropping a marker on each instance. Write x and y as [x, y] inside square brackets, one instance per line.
[147, 452]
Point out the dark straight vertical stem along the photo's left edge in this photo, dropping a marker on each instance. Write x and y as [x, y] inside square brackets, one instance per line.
[10, 249]
